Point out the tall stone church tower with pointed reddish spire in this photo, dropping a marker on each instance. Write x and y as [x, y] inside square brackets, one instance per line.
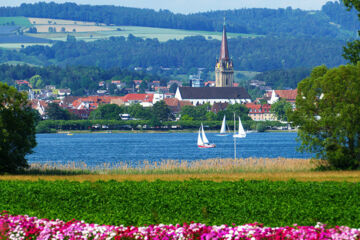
[224, 71]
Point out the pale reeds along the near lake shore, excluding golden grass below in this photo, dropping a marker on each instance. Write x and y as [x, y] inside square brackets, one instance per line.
[217, 165]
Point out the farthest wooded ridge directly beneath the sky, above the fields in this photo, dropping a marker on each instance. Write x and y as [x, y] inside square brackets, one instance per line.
[333, 21]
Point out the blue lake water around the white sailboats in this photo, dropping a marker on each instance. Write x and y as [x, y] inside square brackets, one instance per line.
[133, 148]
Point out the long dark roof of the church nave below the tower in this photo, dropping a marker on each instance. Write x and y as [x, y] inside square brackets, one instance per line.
[214, 93]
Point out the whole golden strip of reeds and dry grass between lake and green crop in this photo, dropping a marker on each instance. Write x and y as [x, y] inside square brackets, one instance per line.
[273, 169]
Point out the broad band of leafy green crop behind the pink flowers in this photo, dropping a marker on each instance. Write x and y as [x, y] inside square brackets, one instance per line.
[215, 203]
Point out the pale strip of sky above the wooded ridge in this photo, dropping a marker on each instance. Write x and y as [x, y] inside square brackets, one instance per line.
[190, 6]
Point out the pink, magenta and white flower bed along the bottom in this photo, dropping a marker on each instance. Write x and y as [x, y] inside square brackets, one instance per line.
[25, 227]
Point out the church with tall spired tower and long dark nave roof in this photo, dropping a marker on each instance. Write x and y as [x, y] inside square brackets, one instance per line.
[223, 92]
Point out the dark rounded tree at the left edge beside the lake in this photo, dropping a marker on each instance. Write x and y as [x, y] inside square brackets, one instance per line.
[17, 134]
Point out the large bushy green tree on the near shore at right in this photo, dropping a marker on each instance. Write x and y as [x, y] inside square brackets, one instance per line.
[328, 115]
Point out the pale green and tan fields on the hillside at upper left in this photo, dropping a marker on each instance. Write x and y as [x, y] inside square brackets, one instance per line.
[91, 31]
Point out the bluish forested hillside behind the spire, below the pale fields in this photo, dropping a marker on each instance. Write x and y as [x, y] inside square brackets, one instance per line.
[259, 54]
